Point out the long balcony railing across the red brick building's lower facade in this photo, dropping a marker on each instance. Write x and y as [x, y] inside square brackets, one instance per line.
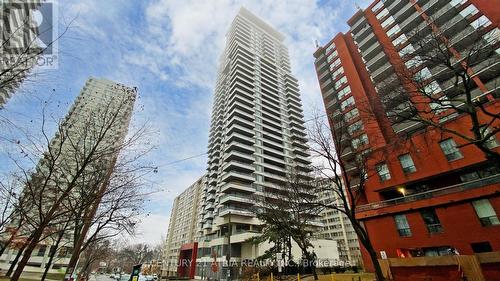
[431, 193]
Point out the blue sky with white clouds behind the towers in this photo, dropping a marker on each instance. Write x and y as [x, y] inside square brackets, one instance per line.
[169, 49]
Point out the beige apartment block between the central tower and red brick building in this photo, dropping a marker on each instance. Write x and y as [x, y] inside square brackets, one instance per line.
[337, 227]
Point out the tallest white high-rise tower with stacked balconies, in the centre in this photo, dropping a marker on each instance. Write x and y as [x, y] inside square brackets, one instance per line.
[256, 134]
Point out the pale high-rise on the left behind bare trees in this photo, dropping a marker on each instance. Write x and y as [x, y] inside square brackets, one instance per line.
[102, 111]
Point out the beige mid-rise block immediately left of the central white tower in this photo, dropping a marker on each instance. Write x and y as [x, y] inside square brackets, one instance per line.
[183, 228]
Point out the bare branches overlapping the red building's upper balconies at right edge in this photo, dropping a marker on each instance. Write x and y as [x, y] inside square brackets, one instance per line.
[467, 70]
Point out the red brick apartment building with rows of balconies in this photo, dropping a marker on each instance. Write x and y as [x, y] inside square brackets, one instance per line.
[430, 195]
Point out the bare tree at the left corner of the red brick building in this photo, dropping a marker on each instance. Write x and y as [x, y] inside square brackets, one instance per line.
[327, 145]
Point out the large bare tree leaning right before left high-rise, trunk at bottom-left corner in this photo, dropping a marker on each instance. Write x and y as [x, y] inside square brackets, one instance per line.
[81, 154]
